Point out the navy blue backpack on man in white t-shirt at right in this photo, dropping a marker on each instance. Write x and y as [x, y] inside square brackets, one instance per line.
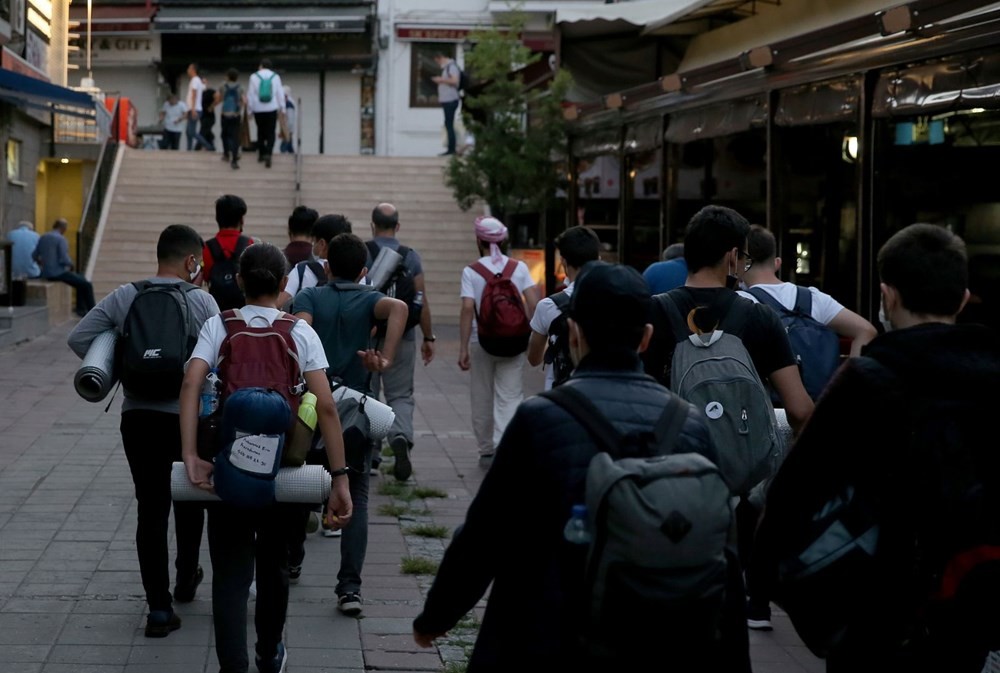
[816, 346]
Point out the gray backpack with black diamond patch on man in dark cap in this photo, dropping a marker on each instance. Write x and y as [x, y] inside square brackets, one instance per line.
[659, 522]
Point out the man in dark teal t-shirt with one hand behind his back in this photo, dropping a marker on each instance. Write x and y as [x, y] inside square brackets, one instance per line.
[343, 313]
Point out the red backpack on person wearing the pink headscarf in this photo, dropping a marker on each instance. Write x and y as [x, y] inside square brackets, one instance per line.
[503, 325]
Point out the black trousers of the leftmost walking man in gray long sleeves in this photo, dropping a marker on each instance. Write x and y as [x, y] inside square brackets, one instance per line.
[152, 441]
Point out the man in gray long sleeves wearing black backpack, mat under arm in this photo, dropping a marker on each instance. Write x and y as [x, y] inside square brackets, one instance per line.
[158, 320]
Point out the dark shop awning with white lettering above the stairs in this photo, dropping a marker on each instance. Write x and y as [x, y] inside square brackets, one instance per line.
[256, 19]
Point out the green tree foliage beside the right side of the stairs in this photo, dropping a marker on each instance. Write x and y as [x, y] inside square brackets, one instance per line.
[516, 132]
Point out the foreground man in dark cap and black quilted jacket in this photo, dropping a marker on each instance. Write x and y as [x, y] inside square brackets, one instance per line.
[539, 594]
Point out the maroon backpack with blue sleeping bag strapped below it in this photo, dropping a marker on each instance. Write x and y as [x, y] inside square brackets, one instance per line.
[260, 357]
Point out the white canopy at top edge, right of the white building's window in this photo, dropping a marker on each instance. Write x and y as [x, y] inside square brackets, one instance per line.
[598, 19]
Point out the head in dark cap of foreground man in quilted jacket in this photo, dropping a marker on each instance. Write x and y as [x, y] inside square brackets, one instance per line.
[611, 304]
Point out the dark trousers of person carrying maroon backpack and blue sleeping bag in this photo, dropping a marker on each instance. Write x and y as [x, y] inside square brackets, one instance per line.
[237, 539]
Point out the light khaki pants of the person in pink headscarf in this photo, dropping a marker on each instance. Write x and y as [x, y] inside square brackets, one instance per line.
[496, 390]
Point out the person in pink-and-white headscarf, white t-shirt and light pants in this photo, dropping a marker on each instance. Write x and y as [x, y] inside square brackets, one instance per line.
[497, 382]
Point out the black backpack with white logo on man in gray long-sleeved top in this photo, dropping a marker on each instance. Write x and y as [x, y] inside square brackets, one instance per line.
[158, 336]
